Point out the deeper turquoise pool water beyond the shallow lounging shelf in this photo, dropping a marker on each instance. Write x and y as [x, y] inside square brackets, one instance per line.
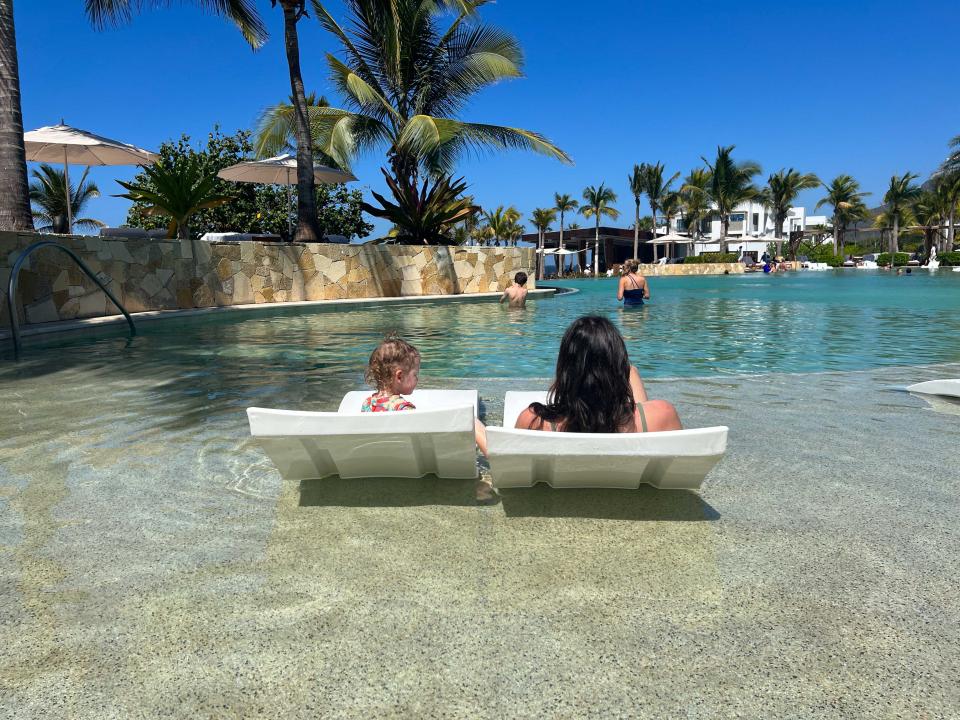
[694, 326]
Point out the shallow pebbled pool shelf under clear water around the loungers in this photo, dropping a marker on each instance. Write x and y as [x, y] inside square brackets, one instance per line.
[153, 564]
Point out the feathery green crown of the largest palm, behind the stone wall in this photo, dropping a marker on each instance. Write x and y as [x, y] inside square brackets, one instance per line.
[405, 78]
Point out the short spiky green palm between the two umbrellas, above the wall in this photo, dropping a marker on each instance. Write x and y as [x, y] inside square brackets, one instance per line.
[176, 191]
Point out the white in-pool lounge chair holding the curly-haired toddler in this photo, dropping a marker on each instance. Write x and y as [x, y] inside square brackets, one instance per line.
[436, 438]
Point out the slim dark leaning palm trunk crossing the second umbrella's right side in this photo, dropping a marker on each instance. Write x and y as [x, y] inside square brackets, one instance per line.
[307, 228]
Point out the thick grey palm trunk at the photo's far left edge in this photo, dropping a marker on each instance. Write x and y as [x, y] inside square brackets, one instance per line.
[14, 194]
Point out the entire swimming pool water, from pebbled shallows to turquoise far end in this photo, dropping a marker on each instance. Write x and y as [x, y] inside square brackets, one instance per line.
[152, 562]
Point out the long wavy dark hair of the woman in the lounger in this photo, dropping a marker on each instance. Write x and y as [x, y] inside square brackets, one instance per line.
[591, 392]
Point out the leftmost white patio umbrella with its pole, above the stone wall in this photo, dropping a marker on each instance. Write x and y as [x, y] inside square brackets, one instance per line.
[64, 144]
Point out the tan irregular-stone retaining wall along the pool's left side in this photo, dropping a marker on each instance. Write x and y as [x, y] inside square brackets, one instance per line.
[167, 275]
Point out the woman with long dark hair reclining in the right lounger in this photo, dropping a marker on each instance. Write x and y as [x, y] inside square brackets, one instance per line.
[596, 390]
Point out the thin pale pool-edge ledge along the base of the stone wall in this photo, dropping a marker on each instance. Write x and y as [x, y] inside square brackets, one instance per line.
[267, 308]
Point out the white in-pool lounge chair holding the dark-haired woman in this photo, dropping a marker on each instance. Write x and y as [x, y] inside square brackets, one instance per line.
[676, 459]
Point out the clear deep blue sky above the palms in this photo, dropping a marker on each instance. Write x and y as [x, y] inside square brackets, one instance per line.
[865, 87]
